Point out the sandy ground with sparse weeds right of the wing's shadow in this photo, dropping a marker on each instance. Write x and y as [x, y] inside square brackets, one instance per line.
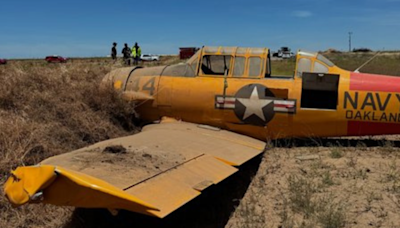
[325, 186]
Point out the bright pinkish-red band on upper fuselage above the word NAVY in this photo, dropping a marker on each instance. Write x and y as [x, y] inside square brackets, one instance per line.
[374, 82]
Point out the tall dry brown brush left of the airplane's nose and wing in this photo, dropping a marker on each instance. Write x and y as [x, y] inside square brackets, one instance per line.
[48, 109]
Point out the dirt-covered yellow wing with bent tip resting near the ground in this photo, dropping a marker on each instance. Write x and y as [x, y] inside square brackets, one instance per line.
[153, 172]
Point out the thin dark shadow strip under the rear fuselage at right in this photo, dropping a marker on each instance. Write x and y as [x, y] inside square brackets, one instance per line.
[329, 142]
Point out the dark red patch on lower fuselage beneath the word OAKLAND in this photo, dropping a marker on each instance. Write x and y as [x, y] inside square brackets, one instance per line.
[371, 128]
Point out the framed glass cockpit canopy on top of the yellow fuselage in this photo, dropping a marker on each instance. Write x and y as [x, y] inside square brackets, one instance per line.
[238, 62]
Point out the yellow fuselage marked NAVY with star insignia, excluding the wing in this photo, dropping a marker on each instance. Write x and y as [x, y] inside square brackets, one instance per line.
[335, 102]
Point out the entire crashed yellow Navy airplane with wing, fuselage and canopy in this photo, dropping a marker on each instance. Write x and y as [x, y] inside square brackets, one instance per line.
[212, 114]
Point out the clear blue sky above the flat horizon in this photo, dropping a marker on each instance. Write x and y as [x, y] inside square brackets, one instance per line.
[87, 28]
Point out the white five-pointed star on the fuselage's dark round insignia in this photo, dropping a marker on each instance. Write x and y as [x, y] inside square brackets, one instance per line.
[254, 105]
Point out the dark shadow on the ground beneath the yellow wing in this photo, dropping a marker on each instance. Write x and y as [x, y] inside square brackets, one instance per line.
[211, 209]
